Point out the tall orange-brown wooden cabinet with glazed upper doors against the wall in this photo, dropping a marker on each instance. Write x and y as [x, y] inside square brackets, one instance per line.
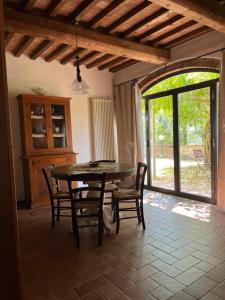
[46, 139]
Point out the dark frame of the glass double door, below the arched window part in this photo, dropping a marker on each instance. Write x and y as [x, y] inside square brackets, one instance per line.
[212, 85]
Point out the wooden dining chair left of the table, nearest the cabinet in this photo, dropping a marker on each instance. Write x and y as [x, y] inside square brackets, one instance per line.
[57, 196]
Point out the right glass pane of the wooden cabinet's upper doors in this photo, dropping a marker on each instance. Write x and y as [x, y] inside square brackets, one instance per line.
[58, 126]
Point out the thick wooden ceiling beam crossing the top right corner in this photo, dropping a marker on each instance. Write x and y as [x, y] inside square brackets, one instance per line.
[208, 13]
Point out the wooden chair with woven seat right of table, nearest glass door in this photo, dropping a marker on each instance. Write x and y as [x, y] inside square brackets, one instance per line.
[132, 195]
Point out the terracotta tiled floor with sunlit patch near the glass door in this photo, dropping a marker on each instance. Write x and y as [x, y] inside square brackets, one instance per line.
[181, 255]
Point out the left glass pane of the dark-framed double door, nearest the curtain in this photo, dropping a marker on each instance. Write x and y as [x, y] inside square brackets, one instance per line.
[161, 146]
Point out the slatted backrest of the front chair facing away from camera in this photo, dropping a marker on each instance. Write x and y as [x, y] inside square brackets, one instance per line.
[98, 187]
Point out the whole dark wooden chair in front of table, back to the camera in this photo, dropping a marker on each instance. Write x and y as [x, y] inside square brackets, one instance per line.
[87, 202]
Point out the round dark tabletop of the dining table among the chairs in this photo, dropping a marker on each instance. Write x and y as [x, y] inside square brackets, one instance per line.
[113, 170]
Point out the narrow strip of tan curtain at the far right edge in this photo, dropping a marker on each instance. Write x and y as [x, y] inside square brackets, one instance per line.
[221, 139]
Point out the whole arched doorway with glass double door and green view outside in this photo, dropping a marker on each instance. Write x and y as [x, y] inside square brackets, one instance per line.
[180, 129]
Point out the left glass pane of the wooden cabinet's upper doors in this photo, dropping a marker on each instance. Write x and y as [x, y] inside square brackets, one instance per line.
[38, 126]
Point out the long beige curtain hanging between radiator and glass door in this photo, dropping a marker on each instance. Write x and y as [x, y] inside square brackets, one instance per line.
[127, 104]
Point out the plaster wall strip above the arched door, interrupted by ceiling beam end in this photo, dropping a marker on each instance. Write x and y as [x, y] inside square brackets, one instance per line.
[207, 43]
